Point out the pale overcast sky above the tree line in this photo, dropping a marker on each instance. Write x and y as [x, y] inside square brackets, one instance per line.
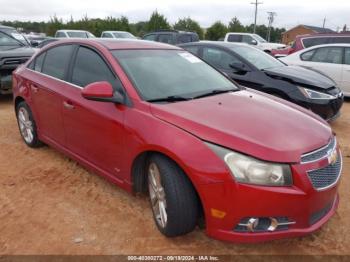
[206, 12]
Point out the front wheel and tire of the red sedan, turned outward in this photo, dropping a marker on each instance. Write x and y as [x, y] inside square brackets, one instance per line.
[175, 196]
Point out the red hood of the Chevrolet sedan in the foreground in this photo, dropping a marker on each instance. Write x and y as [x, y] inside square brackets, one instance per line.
[249, 122]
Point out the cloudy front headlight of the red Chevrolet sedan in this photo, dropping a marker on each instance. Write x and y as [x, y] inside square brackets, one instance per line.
[249, 170]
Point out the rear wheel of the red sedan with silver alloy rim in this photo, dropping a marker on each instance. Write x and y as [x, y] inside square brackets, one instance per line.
[27, 125]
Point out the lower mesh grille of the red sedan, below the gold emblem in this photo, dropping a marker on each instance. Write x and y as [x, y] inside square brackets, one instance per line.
[327, 176]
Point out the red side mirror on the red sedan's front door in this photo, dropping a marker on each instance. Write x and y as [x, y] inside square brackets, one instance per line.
[102, 92]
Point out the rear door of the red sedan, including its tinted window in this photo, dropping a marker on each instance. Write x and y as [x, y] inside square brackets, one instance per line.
[47, 85]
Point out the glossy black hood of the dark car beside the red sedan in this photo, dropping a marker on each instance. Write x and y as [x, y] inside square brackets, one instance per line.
[300, 75]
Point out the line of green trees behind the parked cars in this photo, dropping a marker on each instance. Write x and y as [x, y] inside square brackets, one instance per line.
[157, 21]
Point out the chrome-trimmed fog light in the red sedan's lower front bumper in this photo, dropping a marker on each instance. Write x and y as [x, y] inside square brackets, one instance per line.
[263, 224]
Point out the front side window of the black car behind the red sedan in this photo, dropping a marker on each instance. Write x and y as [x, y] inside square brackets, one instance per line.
[219, 58]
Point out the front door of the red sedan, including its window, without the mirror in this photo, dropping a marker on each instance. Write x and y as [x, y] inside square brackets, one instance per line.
[94, 130]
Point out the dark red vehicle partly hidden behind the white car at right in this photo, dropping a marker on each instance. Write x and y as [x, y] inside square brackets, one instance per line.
[305, 41]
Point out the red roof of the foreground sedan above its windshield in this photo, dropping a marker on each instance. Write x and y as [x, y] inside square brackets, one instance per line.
[114, 44]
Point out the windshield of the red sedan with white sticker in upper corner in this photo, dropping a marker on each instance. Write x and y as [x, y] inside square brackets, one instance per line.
[164, 73]
